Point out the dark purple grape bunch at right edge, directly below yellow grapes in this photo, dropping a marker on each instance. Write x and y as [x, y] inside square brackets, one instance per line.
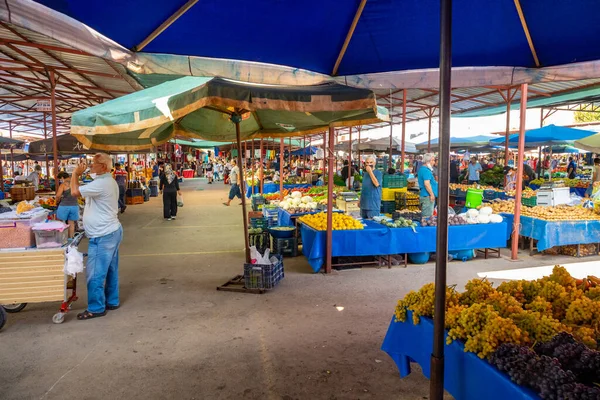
[573, 356]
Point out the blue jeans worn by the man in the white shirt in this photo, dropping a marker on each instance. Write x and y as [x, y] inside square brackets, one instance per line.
[103, 271]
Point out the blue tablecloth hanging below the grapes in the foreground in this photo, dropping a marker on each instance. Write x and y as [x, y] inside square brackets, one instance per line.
[466, 376]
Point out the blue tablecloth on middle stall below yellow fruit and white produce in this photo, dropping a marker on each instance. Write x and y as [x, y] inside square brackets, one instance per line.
[377, 239]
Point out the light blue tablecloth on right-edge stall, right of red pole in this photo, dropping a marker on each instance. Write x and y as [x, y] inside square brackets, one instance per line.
[557, 233]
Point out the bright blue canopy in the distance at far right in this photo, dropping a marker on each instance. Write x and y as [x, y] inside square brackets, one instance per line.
[550, 134]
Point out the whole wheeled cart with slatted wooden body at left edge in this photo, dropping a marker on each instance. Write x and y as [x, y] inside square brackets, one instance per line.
[36, 276]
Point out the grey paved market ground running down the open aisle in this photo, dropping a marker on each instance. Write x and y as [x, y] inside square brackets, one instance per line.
[176, 337]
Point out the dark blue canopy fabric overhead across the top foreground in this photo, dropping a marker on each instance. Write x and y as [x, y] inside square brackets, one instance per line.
[391, 35]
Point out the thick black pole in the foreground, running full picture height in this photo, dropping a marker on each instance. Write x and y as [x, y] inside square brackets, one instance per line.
[436, 389]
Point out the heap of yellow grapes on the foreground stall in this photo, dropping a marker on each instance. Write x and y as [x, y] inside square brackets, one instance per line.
[519, 312]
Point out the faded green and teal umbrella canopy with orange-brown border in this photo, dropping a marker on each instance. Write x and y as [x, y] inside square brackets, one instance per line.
[199, 107]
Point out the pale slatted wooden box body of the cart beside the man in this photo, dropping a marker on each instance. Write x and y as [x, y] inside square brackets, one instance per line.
[32, 276]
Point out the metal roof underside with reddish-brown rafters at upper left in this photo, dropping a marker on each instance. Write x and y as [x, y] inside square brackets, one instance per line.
[82, 80]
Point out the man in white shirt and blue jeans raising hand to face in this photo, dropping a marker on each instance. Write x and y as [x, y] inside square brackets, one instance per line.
[105, 233]
